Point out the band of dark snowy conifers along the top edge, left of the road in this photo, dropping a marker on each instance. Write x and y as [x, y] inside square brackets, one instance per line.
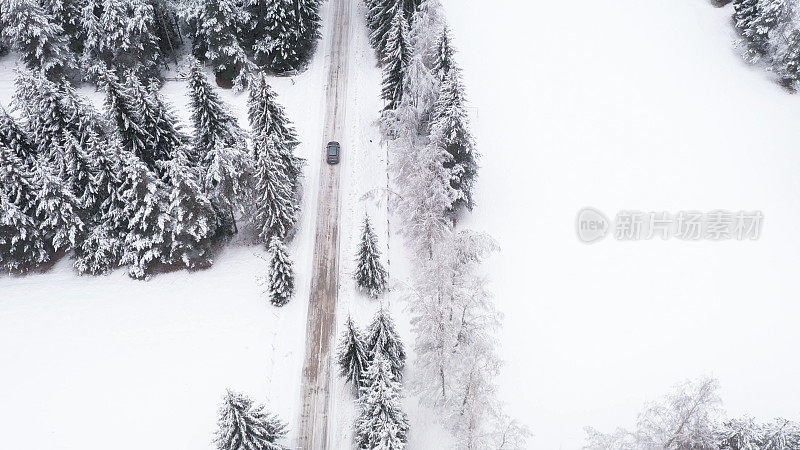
[82, 39]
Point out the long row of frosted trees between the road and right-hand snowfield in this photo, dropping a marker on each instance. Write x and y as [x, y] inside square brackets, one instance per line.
[433, 163]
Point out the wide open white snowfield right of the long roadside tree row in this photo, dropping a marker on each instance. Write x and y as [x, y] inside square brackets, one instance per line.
[631, 105]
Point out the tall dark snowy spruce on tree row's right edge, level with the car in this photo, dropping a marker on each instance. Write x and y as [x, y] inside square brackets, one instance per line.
[450, 131]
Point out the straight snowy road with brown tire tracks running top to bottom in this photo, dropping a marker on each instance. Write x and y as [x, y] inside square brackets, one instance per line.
[313, 425]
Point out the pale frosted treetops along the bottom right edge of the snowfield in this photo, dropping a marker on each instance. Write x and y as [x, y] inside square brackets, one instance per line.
[691, 417]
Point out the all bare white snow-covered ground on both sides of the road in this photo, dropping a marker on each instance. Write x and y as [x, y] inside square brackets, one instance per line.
[616, 105]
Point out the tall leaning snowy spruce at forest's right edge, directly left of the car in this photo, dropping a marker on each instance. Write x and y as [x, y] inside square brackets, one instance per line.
[268, 119]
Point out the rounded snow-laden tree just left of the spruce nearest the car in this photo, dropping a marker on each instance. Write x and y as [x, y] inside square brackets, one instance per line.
[228, 183]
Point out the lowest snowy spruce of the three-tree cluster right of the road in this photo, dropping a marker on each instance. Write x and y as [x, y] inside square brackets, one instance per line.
[382, 424]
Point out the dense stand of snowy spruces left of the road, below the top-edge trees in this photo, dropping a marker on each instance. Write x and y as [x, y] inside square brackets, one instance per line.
[128, 187]
